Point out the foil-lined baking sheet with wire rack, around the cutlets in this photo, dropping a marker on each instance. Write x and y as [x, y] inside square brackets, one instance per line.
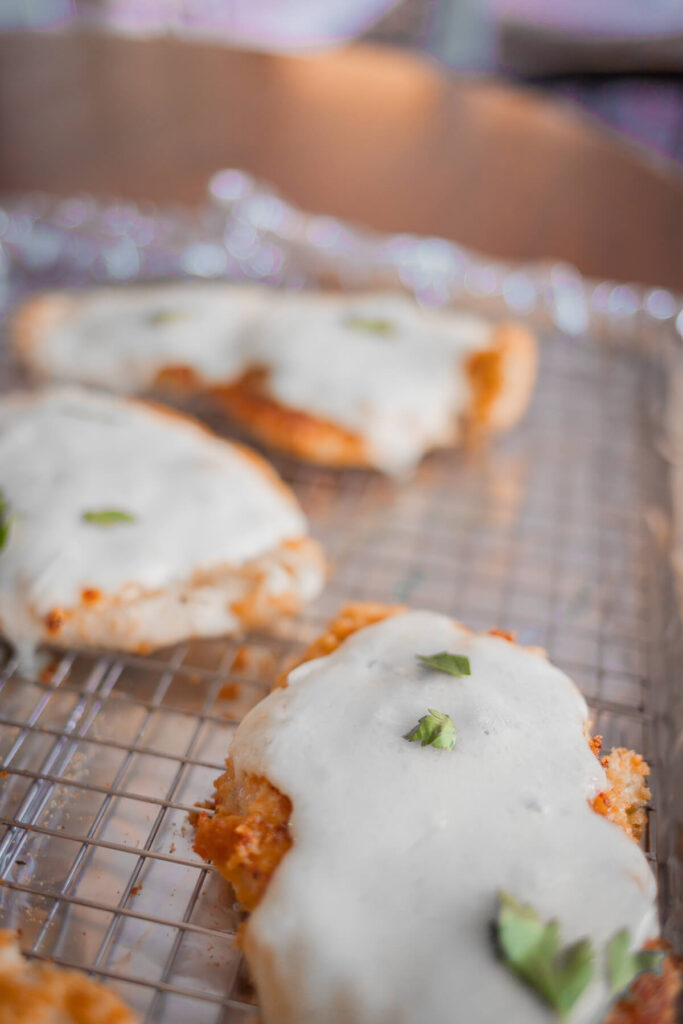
[561, 532]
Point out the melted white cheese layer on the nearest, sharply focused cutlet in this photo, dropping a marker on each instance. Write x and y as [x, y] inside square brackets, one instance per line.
[381, 912]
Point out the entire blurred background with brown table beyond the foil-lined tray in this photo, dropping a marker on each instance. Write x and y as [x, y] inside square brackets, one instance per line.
[522, 129]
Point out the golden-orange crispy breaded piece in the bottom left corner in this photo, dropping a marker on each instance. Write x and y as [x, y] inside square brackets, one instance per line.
[41, 994]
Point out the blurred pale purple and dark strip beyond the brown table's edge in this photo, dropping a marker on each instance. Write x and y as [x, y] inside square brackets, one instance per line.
[620, 60]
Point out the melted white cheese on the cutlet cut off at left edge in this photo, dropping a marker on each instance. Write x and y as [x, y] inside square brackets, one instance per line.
[199, 504]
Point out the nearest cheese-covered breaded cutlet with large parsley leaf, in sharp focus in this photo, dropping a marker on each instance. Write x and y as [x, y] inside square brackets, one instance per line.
[415, 810]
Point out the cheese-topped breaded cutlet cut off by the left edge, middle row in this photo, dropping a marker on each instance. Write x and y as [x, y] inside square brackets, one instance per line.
[127, 526]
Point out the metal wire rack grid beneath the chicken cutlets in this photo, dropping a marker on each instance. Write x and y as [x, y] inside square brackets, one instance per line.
[104, 757]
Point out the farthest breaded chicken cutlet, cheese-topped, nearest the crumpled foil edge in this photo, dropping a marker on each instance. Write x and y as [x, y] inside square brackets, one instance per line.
[367, 379]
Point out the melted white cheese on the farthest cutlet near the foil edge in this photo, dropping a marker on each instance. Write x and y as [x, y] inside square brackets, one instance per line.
[403, 389]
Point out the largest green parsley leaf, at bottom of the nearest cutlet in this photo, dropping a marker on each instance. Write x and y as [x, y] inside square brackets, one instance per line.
[532, 950]
